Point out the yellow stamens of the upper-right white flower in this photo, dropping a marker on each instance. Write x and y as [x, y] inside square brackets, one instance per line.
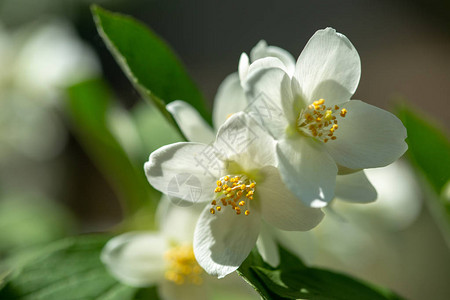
[319, 121]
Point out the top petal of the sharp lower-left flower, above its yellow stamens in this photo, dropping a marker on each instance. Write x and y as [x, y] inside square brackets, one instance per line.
[243, 140]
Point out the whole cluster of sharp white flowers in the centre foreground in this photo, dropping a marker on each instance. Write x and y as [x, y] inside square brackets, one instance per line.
[287, 139]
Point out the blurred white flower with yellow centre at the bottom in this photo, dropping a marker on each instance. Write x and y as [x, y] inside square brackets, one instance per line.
[165, 258]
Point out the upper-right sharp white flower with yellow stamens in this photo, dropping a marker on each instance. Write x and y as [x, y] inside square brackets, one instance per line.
[320, 131]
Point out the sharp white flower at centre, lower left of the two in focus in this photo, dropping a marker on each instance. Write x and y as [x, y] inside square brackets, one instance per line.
[235, 177]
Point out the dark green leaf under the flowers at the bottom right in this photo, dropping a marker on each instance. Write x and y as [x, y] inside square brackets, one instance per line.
[292, 279]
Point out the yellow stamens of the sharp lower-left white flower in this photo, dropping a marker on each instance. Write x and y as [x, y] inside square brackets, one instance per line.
[234, 192]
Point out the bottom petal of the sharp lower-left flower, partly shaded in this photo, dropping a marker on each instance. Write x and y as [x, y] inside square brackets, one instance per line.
[223, 241]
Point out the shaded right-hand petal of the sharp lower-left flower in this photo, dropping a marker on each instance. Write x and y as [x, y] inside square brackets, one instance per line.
[280, 208]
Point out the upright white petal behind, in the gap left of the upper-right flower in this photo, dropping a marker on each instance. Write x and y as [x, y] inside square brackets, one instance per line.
[230, 98]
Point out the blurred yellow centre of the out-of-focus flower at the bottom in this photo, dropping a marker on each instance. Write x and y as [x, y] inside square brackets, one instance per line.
[183, 268]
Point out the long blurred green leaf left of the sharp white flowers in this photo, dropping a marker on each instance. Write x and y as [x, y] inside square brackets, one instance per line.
[88, 106]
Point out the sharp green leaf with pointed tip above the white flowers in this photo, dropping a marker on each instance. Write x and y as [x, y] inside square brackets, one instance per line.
[148, 61]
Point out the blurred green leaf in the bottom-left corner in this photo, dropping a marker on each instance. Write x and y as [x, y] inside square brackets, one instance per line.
[67, 269]
